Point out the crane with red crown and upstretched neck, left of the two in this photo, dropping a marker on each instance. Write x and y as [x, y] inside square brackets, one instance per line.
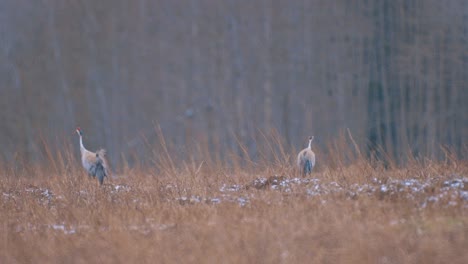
[95, 163]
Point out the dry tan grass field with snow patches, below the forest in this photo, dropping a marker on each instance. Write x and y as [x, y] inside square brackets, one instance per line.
[209, 212]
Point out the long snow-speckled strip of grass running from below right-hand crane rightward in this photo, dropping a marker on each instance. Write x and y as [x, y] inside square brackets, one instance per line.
[450, 192]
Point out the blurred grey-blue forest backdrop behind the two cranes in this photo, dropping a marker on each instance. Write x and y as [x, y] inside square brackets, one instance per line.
[219, 72]
